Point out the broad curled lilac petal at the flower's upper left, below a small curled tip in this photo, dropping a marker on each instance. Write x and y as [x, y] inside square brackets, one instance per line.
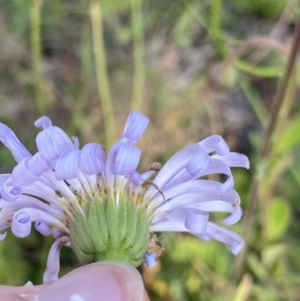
[53, 142]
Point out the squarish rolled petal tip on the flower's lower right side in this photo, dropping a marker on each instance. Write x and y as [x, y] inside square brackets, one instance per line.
[196, 220]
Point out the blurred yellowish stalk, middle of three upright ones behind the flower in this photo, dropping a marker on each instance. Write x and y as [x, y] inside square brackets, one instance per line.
[101, 72]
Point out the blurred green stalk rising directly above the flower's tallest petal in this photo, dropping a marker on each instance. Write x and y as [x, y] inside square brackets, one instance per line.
[139, 67]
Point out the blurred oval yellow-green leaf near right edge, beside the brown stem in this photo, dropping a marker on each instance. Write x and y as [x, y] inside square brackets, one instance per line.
[278, 218]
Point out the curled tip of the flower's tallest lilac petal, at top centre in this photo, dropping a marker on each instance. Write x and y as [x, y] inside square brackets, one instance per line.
[135, 126]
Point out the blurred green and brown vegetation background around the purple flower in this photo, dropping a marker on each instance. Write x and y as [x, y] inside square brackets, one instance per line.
[195, 68]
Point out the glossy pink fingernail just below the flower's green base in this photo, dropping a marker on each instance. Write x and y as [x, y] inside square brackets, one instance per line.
[103, 281]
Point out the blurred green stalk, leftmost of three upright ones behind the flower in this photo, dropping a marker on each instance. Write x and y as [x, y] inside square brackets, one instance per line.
[35, 14]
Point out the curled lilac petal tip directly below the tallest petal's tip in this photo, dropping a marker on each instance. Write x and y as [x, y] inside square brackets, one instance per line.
[127, 160]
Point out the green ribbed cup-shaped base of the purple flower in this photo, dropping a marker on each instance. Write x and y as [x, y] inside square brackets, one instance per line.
[110, 230]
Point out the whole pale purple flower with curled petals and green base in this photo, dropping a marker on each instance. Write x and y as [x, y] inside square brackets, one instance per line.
[101, 206]
